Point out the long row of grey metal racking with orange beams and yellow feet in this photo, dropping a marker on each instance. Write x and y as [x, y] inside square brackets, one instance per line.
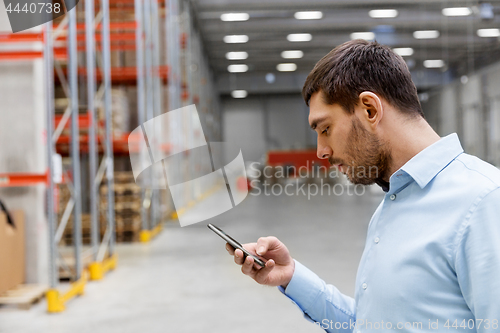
[149, 74]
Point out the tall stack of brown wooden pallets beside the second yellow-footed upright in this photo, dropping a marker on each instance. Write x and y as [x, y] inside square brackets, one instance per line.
[127, 207]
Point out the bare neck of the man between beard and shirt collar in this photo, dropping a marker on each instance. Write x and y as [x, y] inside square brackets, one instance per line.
[406, 139]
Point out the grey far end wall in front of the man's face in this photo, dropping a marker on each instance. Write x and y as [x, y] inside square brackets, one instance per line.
[260, 123]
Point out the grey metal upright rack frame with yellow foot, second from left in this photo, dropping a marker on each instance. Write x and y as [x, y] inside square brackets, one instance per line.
[100, 263]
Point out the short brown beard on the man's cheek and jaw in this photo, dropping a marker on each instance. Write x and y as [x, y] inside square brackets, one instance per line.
[368, 155]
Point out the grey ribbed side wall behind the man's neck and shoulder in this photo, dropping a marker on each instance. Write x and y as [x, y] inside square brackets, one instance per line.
[471, 108]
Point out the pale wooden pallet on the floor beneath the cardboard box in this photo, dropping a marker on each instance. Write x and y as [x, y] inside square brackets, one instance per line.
[23, 296]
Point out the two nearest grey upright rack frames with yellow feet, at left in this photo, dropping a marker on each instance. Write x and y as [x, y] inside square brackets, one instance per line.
[55, 300]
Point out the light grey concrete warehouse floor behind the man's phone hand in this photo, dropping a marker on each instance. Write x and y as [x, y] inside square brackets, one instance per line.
[184, 280]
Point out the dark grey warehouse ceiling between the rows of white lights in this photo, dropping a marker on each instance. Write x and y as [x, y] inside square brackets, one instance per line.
[269, 23]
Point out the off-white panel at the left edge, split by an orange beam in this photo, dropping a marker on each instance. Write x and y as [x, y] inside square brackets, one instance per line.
[22, 142]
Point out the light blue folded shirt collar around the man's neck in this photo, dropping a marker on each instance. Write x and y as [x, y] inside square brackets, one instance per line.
[424, 166]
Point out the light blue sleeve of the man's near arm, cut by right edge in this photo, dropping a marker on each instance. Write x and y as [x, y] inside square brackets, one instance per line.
[478, 261]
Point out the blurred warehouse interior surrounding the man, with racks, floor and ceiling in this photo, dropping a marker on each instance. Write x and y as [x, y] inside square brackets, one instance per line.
[85, 104]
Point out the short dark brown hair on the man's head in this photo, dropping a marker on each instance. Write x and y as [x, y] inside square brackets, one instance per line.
[357, 66]
